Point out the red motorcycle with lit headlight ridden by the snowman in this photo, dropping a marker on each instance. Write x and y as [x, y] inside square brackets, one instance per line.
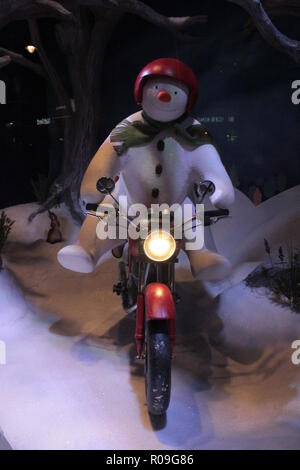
[147, 287]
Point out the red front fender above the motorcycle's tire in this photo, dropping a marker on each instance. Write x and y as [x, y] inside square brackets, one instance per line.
[159, 303]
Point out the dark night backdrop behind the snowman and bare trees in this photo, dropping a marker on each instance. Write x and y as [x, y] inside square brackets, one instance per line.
[244, 99]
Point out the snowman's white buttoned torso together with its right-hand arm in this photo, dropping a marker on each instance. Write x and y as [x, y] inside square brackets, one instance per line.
[165, 170]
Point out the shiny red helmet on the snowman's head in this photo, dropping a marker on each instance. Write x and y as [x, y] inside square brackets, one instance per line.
[168, 68]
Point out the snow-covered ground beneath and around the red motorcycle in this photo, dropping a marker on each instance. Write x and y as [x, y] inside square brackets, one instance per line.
[71, 380]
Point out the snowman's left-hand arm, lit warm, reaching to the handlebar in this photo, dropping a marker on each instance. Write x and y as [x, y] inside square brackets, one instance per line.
[105, 163]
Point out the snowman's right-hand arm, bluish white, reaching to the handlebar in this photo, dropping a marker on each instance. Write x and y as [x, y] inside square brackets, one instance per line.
[207, 166]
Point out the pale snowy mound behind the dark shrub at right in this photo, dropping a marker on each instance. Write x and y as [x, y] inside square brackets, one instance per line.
[277, 219]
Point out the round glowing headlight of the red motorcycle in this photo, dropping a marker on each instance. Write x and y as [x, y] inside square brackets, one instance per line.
[159, 245]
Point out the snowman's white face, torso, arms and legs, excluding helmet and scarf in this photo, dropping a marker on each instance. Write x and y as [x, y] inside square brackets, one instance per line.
[161, 171]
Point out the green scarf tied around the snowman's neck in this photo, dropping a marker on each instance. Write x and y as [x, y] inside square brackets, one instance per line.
[133, 134]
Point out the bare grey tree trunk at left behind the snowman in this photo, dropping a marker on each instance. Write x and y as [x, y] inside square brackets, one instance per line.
[84, 47]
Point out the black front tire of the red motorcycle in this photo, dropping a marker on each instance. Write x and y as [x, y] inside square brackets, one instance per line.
[158, 366]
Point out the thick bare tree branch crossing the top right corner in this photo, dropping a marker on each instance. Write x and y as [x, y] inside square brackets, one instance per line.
[268, 30]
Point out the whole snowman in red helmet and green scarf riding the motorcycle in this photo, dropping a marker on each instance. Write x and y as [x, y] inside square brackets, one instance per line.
[160, 153]
